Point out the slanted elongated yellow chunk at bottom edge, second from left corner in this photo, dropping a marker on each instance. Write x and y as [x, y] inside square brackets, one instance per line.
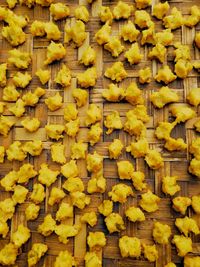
[36, 253]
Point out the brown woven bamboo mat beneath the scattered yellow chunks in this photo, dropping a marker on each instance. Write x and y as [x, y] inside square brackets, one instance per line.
[175, 163]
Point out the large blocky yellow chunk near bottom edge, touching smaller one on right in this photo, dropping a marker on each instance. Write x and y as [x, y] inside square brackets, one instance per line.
[130, 247]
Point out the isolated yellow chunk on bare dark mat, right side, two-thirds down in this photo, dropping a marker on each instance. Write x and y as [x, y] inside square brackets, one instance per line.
[169, 185]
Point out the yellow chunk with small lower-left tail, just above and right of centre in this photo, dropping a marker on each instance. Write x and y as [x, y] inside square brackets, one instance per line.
[112, 122]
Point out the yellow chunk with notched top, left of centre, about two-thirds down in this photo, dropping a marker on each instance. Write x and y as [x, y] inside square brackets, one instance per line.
[46, 175]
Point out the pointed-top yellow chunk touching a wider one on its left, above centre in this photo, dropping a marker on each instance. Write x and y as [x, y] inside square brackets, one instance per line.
[133, 94]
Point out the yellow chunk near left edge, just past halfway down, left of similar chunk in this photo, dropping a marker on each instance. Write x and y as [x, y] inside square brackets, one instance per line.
[15, 151]
